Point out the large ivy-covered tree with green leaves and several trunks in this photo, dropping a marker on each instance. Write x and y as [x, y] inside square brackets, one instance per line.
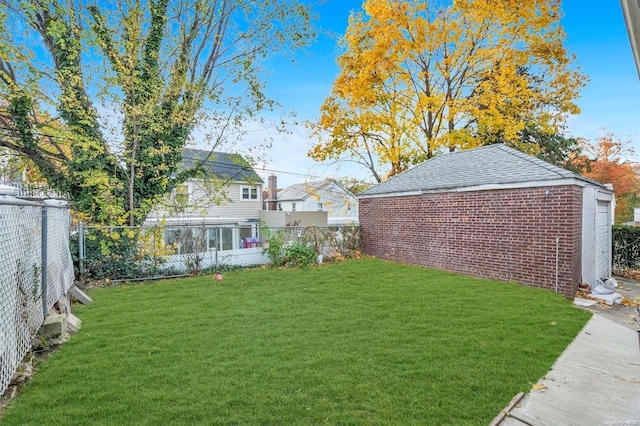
[162, 66]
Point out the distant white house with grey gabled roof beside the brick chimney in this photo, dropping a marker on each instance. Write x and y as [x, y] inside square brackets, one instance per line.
[319, 196]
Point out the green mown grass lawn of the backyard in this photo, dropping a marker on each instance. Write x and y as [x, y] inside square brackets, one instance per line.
[359, 342]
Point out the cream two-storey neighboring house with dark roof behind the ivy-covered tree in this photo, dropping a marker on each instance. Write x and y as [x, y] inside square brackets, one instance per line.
[226, 204]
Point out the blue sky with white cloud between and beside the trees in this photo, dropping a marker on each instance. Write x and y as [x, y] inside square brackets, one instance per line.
[596, 33]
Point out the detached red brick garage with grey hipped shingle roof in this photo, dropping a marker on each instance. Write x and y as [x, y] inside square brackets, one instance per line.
[493, 212]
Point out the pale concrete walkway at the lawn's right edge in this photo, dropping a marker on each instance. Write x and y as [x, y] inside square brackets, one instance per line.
[596, 381]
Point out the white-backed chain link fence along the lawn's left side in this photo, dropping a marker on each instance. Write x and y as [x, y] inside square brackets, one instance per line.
[36, 270]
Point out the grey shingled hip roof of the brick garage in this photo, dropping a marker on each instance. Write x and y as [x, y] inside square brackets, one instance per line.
[488, 165]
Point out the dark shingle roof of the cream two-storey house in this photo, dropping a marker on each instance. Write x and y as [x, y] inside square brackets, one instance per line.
[226, 166]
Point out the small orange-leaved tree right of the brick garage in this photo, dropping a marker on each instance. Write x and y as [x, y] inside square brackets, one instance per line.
[607, 161]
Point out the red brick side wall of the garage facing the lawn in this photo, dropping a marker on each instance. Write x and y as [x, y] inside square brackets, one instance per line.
[507, 234]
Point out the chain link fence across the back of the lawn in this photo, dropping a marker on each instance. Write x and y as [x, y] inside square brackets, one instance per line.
[147, 252]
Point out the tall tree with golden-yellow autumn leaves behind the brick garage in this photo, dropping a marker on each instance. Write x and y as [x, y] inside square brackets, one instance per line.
[417, 78]
